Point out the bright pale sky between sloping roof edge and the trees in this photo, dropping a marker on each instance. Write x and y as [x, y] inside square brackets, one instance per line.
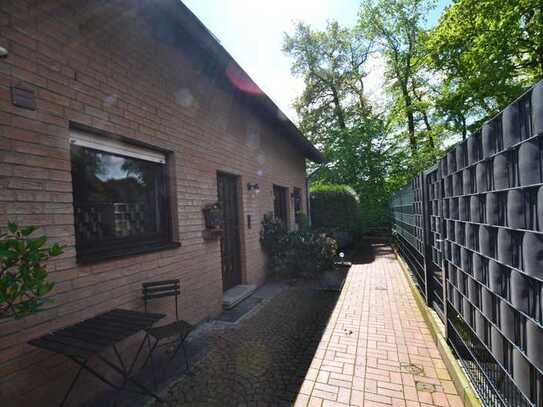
[252, 31]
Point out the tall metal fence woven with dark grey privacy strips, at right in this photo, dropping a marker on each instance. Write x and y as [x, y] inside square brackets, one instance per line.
[497, 339]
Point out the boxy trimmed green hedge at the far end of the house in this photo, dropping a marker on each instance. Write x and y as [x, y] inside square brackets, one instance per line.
[334, 207]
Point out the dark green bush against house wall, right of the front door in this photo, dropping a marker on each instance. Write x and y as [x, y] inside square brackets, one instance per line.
[300, 252]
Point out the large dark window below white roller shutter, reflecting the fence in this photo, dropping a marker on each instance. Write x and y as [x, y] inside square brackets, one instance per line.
[118, 201]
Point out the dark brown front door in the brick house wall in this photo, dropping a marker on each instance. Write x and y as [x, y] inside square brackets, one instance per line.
[230, 242]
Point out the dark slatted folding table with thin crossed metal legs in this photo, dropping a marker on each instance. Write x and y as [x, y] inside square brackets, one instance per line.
[91, 337]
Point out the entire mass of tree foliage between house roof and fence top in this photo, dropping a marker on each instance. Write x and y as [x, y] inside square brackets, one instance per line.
[440, 83]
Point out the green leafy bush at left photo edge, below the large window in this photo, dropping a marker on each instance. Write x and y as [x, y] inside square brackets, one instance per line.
[23, 274]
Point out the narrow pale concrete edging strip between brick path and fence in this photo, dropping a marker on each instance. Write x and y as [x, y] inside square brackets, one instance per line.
[461, 382]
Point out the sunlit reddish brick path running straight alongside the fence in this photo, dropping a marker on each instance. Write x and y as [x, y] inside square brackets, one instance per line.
[377, 350]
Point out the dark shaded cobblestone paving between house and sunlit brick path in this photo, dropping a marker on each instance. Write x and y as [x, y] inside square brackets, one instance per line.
[263, 361]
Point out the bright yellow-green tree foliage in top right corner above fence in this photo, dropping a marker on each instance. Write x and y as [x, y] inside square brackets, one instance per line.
[487, 53]
